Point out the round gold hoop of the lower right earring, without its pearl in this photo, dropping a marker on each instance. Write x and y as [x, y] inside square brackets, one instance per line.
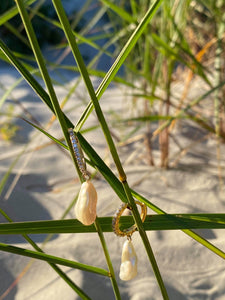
[115, 222]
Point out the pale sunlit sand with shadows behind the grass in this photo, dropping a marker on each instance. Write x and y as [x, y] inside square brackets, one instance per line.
[47, 184]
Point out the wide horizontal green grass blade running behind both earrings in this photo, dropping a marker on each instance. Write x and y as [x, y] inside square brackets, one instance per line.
[152, 223]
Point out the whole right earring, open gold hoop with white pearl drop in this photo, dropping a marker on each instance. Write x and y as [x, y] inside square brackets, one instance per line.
[128, 267]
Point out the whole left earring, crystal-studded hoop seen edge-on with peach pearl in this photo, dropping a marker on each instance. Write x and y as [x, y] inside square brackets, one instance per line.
[85, 207]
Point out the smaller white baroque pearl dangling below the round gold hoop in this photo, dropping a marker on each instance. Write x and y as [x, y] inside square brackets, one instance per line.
[128, 267]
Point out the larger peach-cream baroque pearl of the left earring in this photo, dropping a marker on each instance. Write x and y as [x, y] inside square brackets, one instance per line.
[85, 207]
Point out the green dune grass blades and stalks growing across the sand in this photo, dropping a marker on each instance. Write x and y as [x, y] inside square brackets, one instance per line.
[151, 44]
